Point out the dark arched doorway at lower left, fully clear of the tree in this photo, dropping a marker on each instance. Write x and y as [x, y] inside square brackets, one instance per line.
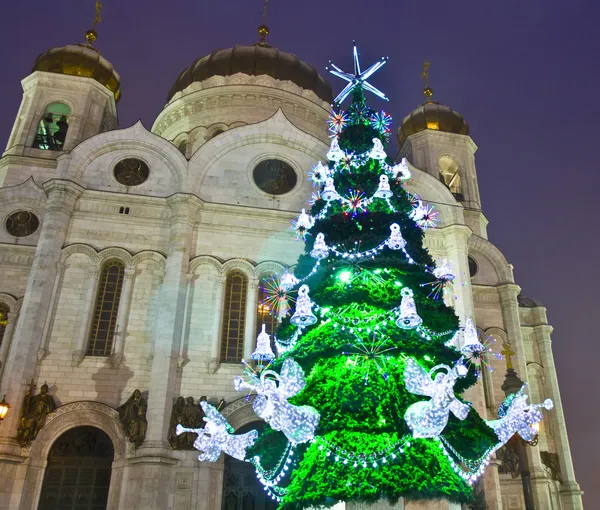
[78, 473]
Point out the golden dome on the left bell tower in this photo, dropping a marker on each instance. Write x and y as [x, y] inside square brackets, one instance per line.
[80, 60]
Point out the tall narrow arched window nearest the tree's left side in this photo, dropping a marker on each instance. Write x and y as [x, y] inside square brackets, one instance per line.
[234, 317]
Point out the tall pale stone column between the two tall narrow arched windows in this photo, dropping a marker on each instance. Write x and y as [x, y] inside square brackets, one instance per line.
[151, 473]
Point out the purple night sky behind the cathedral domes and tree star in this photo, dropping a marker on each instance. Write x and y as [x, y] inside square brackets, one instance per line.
[524, 75]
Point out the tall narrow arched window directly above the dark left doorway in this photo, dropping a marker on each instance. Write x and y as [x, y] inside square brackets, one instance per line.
[102, 332]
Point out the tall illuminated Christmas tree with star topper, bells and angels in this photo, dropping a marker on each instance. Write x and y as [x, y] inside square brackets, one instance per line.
[364, 402]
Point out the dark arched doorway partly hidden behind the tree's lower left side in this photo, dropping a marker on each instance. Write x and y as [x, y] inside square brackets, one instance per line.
[241, 488]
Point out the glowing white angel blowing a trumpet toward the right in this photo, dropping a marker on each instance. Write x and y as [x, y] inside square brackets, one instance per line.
[518, 416]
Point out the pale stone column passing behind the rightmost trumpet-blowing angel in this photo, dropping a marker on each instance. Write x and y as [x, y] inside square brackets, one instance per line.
[512, 324]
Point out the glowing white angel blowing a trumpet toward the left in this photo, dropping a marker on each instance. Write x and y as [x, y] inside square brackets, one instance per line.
[217, 437]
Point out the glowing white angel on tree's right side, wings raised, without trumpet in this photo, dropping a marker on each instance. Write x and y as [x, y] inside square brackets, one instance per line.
[428, 419]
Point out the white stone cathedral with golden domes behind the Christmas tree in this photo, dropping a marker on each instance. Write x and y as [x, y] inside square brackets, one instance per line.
[135, 259]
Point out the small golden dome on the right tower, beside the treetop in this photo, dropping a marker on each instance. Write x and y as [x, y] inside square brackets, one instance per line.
[432, 115]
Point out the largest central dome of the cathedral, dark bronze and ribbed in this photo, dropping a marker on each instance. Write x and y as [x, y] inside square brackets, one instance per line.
[255, 60]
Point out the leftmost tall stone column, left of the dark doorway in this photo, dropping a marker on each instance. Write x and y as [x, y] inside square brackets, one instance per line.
[22, 359]
